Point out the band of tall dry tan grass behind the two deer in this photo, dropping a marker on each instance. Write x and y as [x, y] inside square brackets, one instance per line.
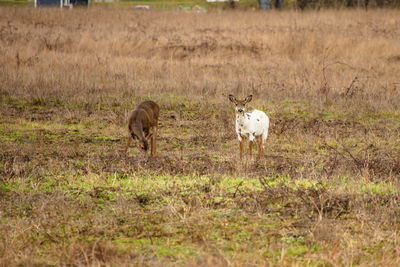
[76, 54]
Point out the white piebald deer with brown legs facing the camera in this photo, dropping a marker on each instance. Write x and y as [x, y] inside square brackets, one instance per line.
[252, 124]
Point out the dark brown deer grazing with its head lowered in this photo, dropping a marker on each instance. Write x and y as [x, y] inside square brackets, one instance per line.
[143, 125]
